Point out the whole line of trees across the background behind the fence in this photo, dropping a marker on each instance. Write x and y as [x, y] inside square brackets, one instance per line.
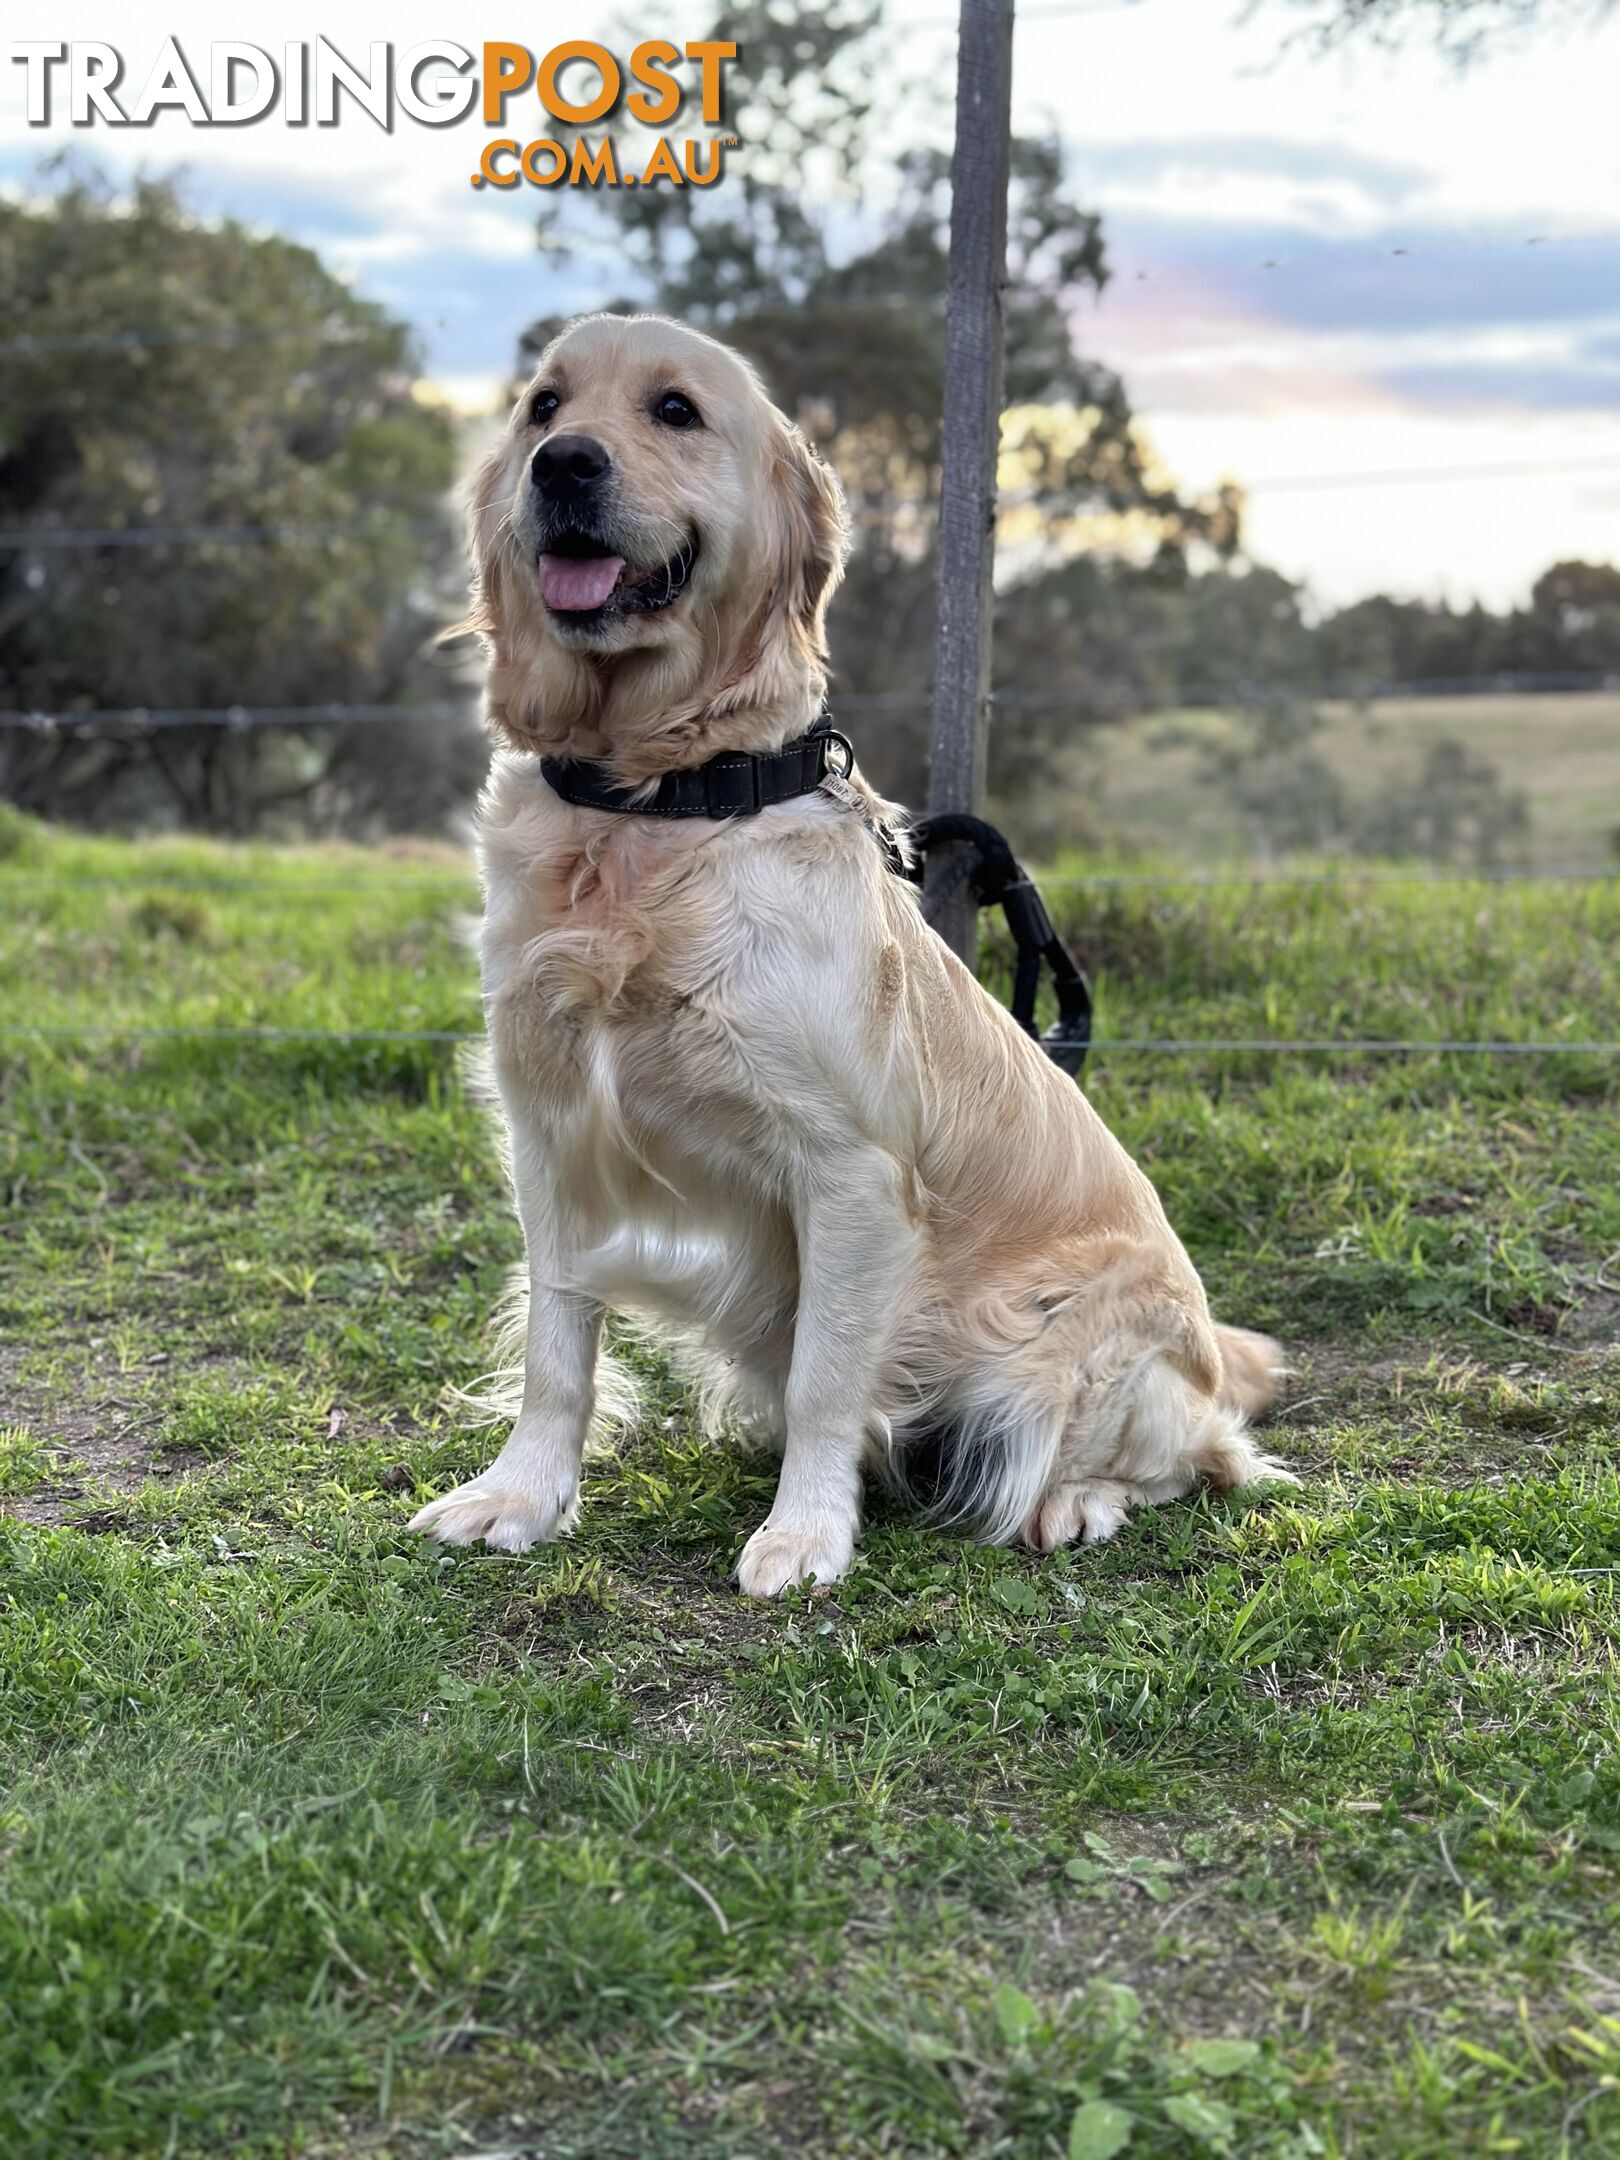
[174, 377]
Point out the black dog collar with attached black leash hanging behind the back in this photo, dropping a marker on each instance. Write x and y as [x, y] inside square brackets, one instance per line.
[742, 783]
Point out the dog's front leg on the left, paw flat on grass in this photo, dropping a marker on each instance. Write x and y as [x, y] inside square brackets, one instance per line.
[532, 1489]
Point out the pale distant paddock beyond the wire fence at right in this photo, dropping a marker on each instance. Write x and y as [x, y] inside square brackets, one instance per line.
[1561, 751]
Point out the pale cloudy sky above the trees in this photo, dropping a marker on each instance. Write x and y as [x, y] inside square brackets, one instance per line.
[1377, 291]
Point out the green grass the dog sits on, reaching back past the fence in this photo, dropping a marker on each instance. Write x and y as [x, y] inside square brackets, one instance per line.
[1284, 1826]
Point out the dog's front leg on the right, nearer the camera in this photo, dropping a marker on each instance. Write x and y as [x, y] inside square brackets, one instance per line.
[856, 1263]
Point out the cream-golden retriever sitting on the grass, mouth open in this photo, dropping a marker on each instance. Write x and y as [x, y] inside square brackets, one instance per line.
[751, 1098]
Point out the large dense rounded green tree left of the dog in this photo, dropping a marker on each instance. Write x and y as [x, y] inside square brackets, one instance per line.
[187, 375]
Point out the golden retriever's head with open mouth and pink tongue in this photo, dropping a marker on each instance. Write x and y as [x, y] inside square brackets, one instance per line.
[656, 545]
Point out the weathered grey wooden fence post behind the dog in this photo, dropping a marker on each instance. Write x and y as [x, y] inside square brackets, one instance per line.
[973, 414]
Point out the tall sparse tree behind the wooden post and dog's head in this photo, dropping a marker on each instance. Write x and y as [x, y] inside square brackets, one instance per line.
[824, 258]
